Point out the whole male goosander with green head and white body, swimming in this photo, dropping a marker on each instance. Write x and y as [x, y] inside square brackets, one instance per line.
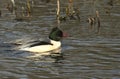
[55, 37]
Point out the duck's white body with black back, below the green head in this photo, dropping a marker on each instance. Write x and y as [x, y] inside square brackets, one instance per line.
[43, 46]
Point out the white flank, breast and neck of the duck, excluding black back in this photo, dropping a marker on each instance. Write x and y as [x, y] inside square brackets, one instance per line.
[43, 48]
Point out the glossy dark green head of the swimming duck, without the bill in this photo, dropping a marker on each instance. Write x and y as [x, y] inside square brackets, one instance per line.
[56, 34]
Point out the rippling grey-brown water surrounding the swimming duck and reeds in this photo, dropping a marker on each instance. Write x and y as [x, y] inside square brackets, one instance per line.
[85, 54]
